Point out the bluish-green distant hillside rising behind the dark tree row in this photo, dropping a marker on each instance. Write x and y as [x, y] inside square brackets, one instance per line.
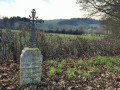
[74, 23]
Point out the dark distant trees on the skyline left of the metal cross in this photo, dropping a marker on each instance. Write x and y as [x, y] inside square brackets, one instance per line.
[15, 23]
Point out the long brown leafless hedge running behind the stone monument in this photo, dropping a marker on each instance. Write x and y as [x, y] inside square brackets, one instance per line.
[53, 46]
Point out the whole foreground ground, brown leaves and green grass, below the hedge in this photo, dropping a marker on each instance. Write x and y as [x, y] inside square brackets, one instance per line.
[96, 73]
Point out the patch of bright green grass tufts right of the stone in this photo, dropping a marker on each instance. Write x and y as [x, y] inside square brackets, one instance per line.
[89, 68]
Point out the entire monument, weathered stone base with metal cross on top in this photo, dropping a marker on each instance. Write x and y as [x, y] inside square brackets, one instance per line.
[31, 60]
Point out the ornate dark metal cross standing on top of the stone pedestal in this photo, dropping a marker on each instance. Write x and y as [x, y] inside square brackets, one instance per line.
[33, 22]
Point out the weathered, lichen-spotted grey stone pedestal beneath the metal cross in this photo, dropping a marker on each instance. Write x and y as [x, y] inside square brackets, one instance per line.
[30, 66]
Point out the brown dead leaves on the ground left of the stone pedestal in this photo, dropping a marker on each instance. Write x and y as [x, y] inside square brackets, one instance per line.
[7, 75]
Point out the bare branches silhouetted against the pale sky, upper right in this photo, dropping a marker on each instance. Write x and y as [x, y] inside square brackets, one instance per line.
[110, 7]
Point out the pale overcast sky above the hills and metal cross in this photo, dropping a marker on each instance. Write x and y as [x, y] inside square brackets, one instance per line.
[45, 9]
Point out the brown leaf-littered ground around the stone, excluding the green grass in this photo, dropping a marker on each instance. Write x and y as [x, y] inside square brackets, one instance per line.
[9, 78]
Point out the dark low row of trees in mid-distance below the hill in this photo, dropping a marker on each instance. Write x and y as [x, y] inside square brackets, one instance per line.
[63, 31]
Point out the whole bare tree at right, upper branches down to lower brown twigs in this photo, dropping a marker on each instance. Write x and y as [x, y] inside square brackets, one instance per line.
[110, 10]
